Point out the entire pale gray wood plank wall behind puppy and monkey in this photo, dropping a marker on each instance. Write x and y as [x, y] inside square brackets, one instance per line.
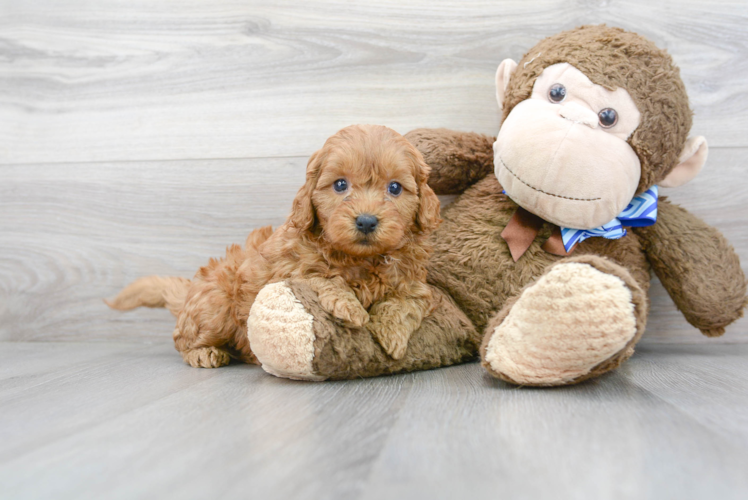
[141, 137]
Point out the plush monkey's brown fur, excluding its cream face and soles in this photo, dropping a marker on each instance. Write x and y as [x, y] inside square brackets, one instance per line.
[473, 274]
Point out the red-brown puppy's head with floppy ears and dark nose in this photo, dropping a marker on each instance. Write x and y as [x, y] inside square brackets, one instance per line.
[369, 193]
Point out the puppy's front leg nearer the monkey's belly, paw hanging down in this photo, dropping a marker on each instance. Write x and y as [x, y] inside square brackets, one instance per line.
[394, 319]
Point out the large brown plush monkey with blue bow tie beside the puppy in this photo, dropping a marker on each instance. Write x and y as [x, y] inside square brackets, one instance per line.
[543, 268]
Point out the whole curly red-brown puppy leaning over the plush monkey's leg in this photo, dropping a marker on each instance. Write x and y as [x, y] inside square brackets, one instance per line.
[369, 273]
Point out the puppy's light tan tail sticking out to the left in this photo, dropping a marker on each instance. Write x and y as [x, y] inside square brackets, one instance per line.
[152, 291]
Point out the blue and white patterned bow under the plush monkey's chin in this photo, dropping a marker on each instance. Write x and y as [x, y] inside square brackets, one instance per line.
[641, 212]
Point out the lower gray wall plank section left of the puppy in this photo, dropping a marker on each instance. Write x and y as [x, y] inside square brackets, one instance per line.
[75, 234]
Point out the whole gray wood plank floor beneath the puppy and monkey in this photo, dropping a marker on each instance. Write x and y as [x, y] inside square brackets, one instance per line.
[107, 420]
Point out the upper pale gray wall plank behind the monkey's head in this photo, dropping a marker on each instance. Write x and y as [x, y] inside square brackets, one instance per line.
[150, 80]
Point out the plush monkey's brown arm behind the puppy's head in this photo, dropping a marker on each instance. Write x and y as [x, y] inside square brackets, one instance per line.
[457, 159]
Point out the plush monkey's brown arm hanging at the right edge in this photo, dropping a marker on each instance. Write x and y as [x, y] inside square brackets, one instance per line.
[697, 266]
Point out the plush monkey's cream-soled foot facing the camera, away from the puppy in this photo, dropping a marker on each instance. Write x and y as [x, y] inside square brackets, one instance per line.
[580, 319]
